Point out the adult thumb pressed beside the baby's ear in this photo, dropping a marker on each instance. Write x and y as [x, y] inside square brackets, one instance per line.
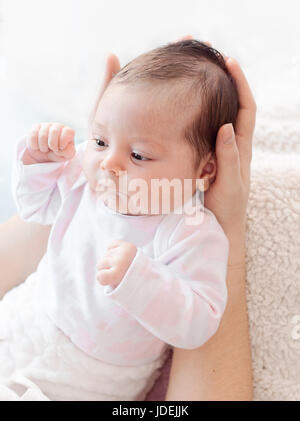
[228, 162]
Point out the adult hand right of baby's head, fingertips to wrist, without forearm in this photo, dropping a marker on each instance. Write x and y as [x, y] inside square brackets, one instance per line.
[227, 197]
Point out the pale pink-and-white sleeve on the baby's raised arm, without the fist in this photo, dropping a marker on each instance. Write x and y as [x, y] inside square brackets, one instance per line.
[36, 189]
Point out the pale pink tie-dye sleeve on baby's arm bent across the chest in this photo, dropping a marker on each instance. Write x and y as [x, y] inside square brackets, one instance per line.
[181, 302]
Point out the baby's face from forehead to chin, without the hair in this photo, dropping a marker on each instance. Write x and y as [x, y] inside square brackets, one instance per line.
[135, 138]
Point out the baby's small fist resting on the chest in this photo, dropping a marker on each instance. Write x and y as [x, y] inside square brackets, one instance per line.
[115, 263]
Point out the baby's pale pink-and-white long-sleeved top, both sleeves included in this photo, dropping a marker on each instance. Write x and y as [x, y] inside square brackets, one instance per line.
[173, 294]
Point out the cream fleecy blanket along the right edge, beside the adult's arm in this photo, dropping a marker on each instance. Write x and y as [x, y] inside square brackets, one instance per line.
[273, 256]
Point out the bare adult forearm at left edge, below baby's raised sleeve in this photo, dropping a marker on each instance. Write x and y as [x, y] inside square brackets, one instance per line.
[22, 245]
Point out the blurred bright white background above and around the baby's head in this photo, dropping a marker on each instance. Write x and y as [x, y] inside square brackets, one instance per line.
[52, 55]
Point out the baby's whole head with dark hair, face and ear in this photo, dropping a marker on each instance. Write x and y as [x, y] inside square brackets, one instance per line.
[159, 118]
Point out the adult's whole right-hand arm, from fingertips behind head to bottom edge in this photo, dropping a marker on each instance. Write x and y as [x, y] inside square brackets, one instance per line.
[222, 368]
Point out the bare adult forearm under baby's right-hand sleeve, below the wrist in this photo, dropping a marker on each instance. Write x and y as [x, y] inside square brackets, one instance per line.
[221, 369]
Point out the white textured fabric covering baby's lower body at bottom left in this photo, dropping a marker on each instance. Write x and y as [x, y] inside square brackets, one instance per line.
[39, 362]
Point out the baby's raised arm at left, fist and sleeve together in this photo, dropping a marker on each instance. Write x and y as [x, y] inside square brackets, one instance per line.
[38, 162]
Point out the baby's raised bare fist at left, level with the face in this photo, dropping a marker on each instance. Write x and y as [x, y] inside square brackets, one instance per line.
[49, 142]
